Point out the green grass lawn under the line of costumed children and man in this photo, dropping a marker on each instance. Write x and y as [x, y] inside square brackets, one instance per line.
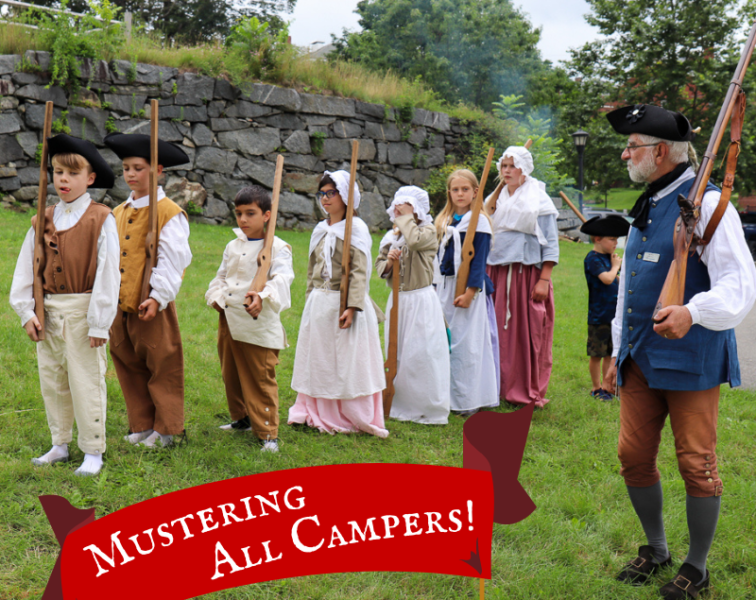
[570, 548]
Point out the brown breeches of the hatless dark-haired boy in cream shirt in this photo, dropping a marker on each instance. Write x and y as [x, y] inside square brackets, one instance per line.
[249, 373]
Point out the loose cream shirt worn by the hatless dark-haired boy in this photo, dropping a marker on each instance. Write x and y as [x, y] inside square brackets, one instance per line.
[231, 284]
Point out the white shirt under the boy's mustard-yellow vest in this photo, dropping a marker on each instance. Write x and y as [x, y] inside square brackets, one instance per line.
[174, 254]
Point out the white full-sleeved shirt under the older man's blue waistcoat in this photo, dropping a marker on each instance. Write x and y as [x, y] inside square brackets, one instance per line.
[728, 260]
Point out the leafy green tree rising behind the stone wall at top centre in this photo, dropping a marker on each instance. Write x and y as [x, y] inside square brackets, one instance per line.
[469, 50]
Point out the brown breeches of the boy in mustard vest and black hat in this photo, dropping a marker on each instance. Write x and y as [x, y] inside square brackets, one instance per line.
[149, 361]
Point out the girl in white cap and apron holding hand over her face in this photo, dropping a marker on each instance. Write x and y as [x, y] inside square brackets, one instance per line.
[423, 372]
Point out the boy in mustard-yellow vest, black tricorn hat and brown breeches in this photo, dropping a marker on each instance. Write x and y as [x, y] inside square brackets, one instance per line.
[145, 338]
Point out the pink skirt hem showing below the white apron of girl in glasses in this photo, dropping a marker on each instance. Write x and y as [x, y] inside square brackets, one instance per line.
[364, 413]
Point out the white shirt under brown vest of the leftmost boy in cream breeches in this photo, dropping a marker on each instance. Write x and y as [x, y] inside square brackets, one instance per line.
[104, 302]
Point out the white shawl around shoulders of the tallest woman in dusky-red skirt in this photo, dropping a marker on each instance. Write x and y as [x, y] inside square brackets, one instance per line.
[520, 211]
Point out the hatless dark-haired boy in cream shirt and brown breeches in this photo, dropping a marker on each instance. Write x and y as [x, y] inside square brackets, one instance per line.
[249, 338]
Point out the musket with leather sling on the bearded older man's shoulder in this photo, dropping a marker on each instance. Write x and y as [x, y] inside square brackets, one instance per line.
[685, 240]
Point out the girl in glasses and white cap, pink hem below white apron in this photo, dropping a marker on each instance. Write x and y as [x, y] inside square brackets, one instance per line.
[338, 367]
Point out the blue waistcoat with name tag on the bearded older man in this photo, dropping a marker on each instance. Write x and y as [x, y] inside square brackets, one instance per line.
[701, 360]
